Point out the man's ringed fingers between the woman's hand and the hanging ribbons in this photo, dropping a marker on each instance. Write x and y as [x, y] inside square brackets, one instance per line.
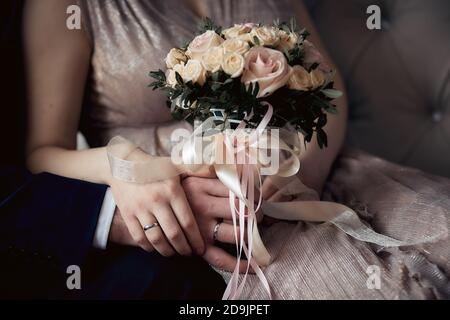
[209, 201]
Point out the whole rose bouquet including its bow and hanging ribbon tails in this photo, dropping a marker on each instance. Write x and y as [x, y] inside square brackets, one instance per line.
[250, 76]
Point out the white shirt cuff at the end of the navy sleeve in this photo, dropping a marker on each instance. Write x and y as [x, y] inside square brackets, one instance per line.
[104, 221]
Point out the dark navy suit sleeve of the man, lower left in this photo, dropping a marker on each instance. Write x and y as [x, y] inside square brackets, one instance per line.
[49, 217]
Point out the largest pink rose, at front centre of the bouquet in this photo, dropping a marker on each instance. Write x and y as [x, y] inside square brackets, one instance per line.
[268, 67]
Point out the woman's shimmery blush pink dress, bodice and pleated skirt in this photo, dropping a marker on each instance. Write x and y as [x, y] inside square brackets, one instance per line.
[311, 261]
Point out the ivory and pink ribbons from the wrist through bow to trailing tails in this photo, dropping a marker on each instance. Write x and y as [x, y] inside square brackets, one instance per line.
[241, 180]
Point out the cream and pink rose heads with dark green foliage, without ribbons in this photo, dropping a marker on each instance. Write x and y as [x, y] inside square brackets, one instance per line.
[234, 70]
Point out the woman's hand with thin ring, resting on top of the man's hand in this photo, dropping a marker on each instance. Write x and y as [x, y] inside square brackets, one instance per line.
[164, 203]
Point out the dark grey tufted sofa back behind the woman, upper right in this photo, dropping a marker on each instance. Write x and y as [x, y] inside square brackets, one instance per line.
[398, 78]
